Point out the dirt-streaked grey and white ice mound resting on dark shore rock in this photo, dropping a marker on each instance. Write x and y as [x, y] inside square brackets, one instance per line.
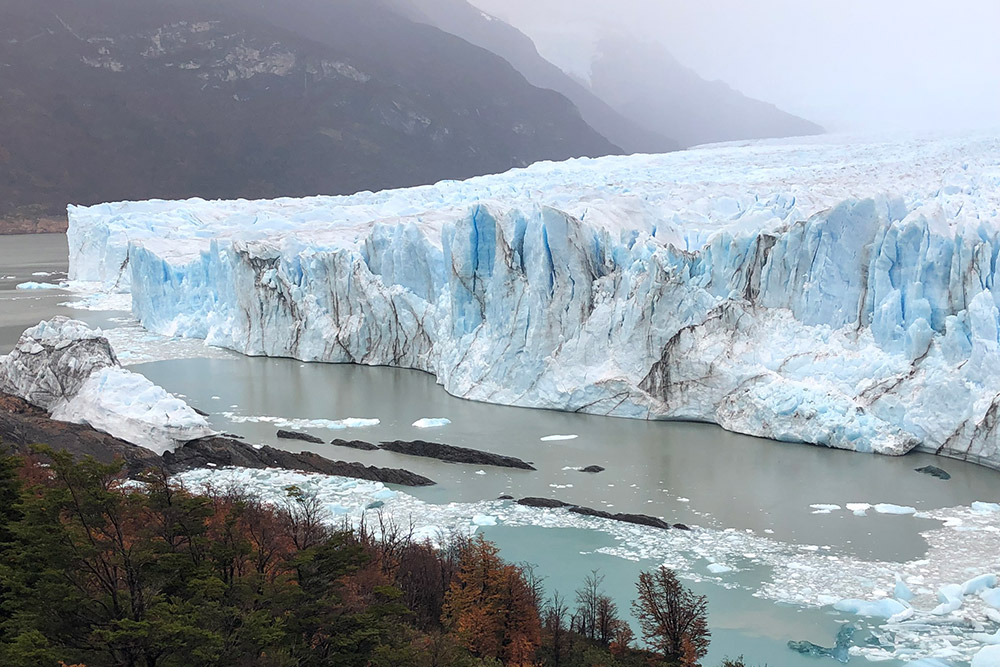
[71, 371]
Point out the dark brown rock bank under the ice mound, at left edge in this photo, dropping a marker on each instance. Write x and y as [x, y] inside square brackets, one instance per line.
[23, 425]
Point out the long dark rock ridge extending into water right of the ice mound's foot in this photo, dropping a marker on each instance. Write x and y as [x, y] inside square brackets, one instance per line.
[226, 452]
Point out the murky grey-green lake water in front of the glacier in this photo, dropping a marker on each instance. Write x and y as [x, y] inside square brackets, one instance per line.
[695, 474]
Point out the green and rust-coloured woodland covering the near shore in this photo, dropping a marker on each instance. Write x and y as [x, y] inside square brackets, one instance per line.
[98, 570]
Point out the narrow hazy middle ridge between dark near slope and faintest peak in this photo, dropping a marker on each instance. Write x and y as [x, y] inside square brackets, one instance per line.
[462, 19]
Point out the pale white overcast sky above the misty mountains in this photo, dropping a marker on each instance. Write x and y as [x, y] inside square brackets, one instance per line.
[850, 65]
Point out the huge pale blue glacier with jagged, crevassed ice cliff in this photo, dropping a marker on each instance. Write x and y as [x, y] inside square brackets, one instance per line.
[834, 291]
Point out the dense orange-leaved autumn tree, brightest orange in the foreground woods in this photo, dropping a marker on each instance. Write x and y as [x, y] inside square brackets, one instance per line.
[489, 606]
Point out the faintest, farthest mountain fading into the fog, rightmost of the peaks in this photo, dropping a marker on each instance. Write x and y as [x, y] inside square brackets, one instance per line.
[645, 83]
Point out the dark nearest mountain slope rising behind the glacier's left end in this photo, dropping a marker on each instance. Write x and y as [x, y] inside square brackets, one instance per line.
[129, 99]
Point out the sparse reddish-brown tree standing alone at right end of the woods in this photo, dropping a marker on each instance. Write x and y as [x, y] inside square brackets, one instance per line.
[673, 620]
